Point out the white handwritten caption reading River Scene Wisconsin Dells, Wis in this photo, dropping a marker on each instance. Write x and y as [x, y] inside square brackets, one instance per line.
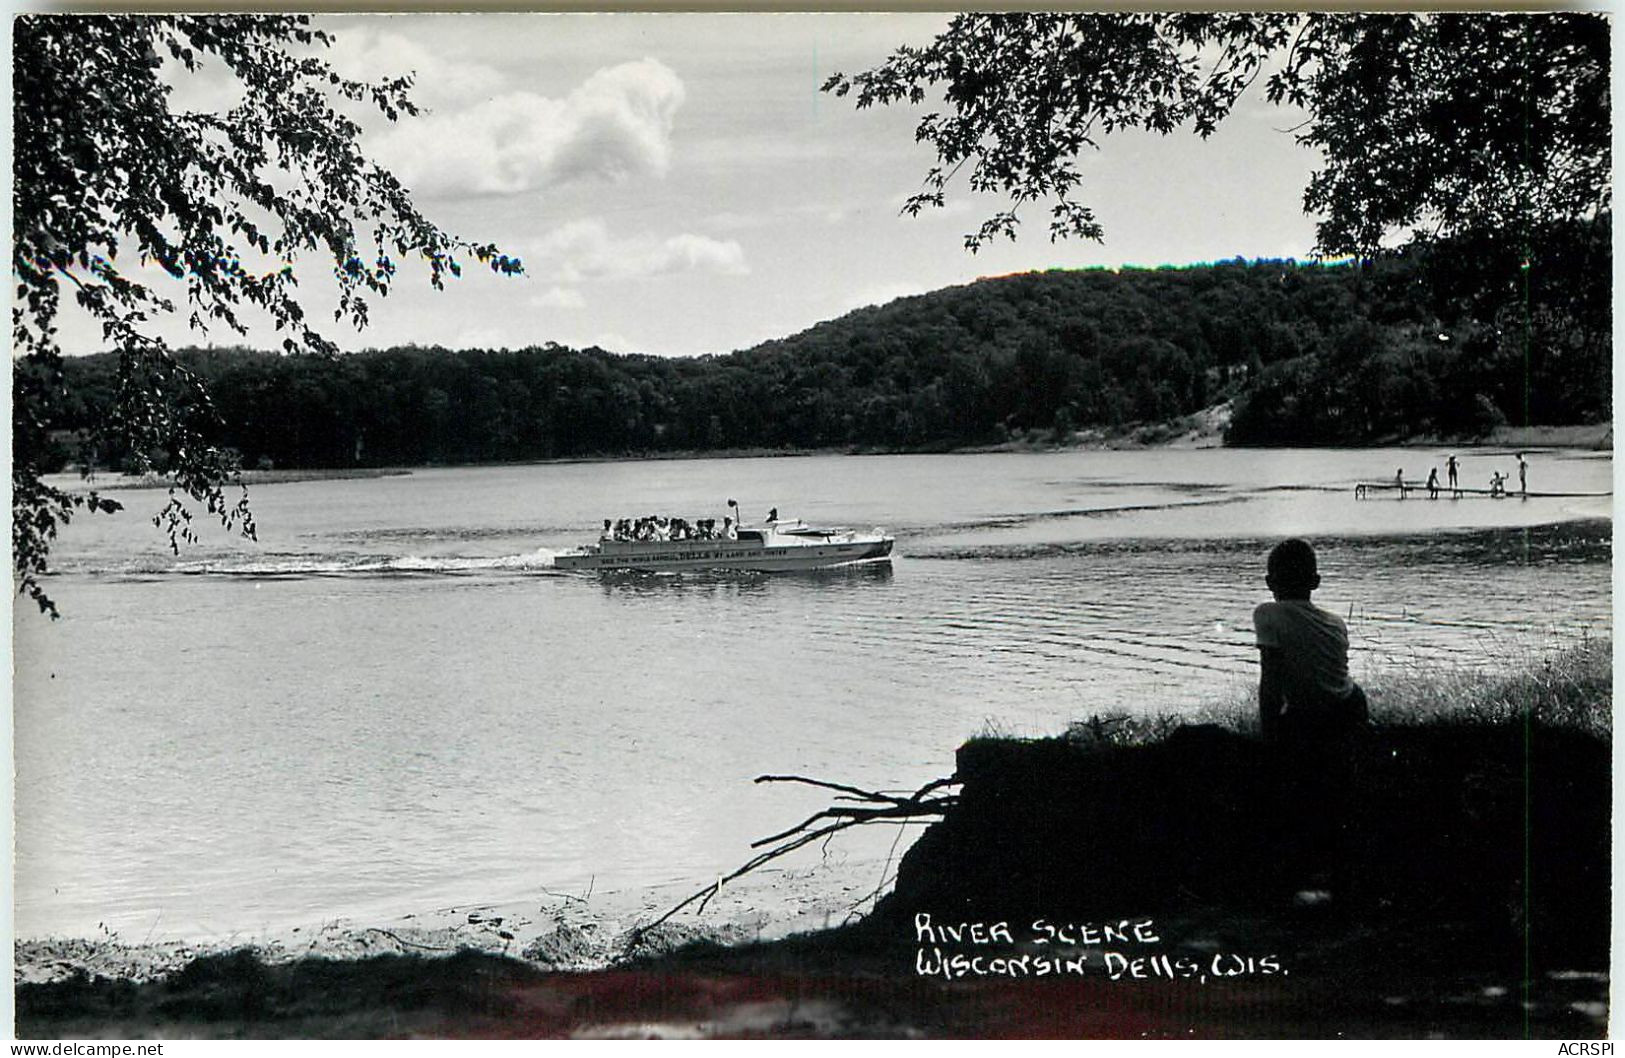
[1119, 952]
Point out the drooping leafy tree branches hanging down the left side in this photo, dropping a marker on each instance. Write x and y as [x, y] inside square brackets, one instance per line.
[115, 186]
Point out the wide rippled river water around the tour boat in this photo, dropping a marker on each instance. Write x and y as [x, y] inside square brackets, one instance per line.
[392, 703]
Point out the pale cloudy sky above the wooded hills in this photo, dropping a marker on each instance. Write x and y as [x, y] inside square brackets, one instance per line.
[678, 184]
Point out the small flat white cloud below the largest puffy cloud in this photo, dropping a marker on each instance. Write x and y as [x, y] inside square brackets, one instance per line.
[587, 251]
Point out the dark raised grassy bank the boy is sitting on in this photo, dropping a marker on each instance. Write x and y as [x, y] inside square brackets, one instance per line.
[1458, 854]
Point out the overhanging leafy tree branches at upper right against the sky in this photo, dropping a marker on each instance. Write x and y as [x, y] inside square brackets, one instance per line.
[1439, 124]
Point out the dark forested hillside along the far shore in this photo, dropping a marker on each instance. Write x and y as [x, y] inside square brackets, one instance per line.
[1415, 344]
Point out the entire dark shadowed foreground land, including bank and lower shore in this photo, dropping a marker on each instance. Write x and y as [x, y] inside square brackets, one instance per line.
[1450, 877]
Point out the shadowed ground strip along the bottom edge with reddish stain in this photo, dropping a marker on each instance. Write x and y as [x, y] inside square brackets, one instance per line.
[1369, 981]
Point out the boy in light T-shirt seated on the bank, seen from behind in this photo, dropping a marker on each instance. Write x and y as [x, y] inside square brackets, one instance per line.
[1304, 688]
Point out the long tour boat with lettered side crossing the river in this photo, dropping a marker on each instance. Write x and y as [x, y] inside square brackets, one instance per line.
[779, 545]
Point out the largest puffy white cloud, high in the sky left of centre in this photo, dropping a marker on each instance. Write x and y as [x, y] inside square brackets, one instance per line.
[615, 126]
